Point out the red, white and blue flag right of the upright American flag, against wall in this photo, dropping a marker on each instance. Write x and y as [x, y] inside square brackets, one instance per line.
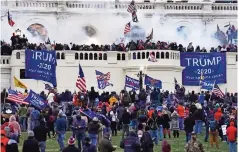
[103, 79]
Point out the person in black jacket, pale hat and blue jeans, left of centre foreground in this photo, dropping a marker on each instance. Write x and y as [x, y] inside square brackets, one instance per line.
[93, 130]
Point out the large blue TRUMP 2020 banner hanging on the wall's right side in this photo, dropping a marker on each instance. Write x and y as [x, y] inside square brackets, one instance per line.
[211, 65]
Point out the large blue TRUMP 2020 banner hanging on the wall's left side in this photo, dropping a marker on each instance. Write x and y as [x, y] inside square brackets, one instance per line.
[41, 65]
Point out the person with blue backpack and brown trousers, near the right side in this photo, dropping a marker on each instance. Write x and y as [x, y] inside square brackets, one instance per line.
[213, 133]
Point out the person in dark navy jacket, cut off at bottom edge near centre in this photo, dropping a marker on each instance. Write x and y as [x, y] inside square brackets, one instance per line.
[131, 143]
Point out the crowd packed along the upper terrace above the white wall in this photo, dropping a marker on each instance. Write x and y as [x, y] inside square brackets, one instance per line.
[22, 43]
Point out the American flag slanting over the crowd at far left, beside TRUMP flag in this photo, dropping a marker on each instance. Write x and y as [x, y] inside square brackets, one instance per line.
[16, 97]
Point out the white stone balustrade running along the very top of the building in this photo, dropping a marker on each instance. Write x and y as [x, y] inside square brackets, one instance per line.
[119, 5]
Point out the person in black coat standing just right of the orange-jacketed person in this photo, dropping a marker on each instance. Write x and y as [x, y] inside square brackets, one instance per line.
[188, 126]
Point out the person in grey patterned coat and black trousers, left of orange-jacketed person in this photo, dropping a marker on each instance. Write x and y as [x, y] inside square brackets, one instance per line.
[175, 124]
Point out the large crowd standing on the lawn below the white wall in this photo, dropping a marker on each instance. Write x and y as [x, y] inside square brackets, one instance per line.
[144, 119]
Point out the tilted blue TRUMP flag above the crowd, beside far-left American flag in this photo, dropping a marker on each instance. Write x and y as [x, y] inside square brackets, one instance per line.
[35, 100]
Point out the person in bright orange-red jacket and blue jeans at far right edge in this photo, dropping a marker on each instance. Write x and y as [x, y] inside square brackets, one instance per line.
[231, 133]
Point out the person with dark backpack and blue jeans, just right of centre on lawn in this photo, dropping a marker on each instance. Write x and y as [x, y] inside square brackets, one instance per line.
[152, 123]
